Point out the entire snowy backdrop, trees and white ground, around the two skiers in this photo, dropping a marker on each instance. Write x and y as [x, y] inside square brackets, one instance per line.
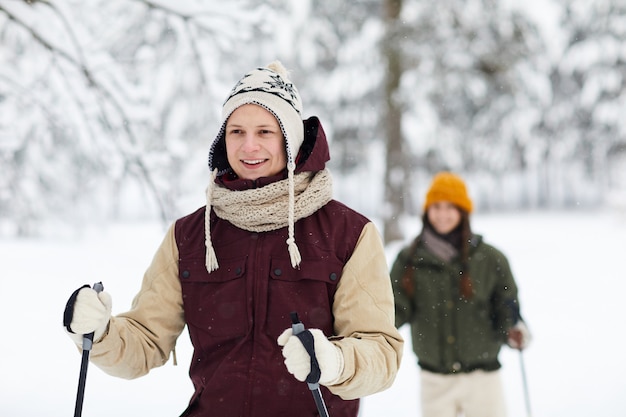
[107, 110]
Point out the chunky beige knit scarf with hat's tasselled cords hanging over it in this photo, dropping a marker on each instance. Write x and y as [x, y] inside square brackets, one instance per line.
[268, 208]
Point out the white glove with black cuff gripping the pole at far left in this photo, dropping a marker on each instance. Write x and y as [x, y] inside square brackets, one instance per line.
[87, 311]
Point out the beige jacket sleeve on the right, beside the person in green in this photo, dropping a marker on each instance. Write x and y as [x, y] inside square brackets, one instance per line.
[364, 317]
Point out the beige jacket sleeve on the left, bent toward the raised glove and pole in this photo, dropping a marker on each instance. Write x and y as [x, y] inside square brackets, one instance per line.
[142, 338]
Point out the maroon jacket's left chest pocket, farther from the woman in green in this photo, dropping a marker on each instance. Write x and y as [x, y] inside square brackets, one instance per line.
[215, 303]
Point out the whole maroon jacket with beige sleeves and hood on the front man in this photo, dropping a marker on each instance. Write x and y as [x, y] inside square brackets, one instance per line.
[235, 313]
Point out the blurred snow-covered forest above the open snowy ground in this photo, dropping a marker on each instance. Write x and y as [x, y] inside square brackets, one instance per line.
[107, 108]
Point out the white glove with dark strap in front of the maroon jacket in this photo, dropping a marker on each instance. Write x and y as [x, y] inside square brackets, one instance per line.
[298, 361]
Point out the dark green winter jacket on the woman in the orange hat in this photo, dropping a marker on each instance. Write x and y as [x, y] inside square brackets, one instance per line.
[449, 333]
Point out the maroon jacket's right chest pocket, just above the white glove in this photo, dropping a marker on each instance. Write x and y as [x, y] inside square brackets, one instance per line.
[308, 291]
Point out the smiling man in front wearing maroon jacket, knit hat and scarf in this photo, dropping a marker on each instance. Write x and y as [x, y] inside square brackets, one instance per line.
[270, 240]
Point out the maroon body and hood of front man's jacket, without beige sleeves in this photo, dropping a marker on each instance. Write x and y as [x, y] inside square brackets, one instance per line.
[236, 313]
